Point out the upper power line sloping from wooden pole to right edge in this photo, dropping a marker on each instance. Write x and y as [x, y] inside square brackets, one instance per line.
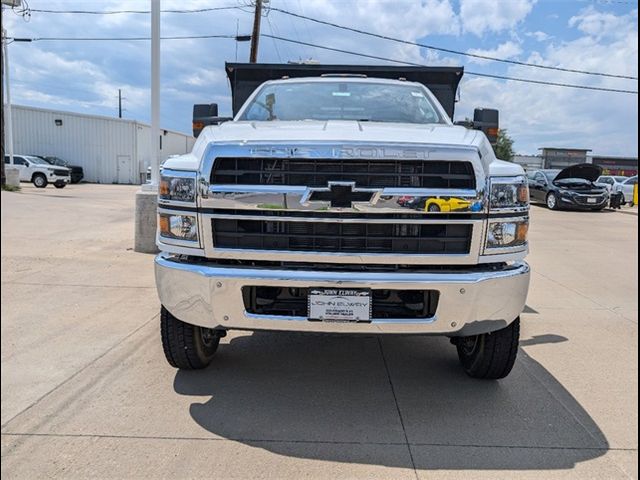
[448, 50]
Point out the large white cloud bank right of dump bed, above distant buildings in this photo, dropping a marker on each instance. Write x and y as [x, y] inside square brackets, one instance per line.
[545, 116]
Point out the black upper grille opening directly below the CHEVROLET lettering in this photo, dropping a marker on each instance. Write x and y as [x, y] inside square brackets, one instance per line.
[365, 173]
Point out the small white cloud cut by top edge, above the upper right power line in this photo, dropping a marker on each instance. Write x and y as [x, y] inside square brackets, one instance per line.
[480, 16]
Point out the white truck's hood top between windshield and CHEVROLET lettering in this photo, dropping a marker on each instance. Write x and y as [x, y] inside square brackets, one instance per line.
[313, 131]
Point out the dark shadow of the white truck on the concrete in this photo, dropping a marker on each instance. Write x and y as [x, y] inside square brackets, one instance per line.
[360, 399]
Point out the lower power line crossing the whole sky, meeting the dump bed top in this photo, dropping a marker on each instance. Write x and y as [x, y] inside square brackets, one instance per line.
[322, 47]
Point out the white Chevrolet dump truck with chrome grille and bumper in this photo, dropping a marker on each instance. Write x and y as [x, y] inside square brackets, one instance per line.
[343, 199]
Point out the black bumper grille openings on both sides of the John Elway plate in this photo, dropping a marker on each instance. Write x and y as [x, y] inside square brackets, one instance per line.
[293, 302]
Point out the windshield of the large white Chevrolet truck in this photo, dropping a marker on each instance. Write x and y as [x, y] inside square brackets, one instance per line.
[336, 100]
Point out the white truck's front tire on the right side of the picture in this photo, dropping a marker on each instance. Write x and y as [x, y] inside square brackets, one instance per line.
[490, 356]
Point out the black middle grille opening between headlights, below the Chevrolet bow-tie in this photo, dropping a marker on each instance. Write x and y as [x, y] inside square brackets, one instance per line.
[342, 237]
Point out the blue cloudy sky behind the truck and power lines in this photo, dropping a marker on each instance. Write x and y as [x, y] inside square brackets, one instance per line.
[592, 35]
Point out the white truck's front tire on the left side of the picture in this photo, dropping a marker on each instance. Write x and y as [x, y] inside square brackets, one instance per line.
[186, 346]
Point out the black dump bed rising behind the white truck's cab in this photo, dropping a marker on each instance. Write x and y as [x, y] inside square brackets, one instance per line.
[246, 77]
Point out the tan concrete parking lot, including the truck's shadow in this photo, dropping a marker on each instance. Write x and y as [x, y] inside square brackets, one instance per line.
[86, 391]
